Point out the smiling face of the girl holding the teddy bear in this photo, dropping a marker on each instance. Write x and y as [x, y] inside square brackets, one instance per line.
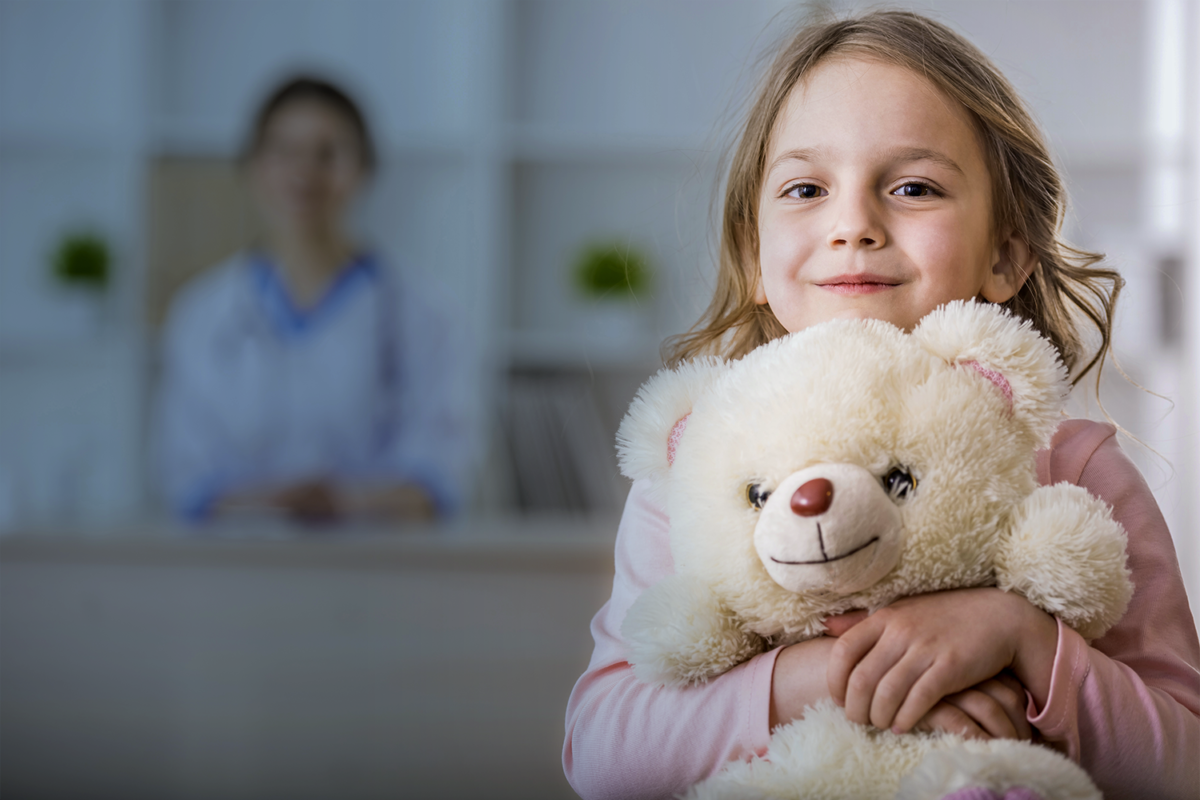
[877, 203]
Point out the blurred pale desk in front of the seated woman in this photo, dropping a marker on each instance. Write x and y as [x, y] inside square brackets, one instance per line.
[267, 664]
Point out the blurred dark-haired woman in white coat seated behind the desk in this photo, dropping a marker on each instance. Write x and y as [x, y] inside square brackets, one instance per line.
[304, 375]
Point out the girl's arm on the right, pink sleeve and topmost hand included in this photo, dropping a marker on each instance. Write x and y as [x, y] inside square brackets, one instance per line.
[1127, 707]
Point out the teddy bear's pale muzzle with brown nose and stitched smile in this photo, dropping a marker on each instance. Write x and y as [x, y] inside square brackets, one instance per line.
[829, 528]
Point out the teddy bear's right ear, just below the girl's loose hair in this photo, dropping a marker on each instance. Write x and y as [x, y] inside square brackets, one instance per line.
[1005, 351]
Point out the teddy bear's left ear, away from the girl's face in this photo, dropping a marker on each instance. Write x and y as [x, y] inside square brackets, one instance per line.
[658, 417]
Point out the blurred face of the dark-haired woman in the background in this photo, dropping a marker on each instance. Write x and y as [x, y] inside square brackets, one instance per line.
[307, 170]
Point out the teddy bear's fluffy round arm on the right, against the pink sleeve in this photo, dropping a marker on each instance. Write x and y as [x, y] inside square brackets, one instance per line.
[1067, 556]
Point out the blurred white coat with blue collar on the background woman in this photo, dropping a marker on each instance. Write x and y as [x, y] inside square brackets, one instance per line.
[371, 384]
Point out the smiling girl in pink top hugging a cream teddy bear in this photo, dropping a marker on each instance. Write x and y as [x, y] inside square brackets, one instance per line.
[887, 169]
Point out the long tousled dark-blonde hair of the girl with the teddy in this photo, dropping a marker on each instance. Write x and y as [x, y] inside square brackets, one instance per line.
[1029, 199]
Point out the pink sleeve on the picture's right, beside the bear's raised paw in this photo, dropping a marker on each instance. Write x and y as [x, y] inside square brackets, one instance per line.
[1127, 707]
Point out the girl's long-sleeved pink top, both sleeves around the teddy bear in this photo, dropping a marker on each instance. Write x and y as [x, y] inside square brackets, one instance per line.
[1127, 707]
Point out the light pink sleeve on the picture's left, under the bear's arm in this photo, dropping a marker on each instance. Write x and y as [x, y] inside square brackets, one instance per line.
[628, 741]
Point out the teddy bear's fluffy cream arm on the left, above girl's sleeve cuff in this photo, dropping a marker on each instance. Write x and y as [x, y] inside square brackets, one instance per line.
[681, 633]
